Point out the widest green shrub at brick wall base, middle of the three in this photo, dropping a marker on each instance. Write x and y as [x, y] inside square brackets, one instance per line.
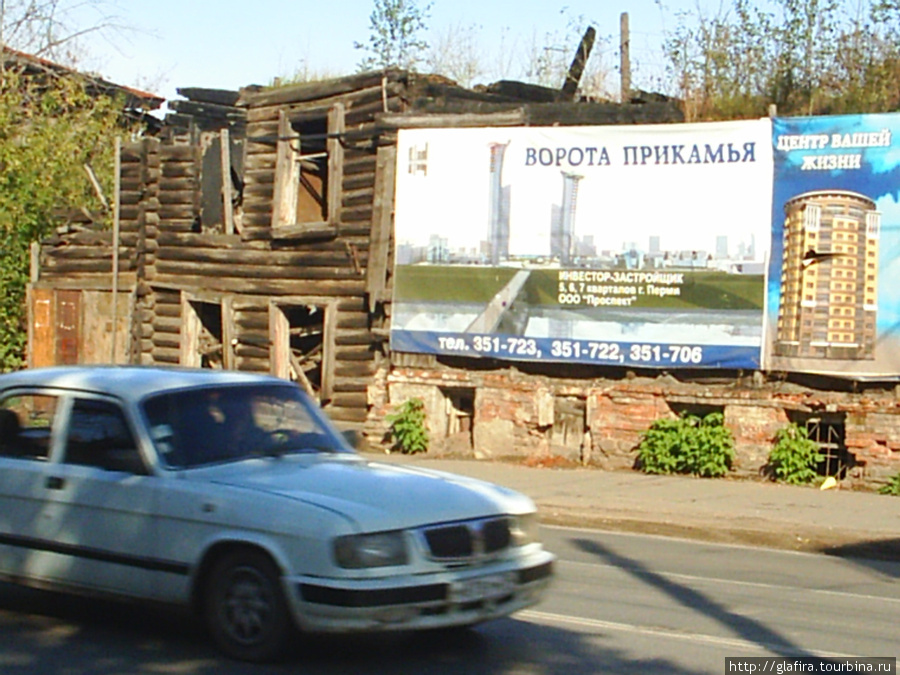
[688, 445]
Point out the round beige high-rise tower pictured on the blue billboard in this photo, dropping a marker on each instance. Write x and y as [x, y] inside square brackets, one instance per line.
[829, 277]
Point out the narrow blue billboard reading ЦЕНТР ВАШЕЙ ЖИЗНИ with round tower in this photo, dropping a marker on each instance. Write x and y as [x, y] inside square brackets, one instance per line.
[834, 278]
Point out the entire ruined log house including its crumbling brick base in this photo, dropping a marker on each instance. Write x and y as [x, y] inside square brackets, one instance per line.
[255, 233]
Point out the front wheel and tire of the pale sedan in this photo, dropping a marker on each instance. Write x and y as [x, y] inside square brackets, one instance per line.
[245, 609]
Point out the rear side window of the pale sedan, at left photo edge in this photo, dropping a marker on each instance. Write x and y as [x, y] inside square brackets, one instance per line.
[26, 421]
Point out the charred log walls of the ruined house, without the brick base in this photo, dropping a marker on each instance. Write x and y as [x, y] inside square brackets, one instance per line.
[254, 232]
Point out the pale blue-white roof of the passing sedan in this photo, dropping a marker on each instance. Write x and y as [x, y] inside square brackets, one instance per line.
[129, 382]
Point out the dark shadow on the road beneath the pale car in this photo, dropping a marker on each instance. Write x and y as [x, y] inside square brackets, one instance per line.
[60, 634]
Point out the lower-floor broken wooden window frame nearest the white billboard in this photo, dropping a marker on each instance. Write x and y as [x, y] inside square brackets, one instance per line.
[279, 342]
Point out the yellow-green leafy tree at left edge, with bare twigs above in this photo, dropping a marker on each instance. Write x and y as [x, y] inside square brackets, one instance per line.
[50, 129]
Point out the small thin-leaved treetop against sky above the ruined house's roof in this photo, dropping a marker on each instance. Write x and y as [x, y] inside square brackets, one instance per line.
[394, 39]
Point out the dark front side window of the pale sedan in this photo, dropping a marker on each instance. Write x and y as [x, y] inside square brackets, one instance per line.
[99, 436]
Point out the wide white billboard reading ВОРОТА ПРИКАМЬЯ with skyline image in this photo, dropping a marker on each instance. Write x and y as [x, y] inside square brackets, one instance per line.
[624, 245]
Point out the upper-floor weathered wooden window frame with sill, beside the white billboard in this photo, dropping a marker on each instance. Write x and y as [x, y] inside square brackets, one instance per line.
[288, 156]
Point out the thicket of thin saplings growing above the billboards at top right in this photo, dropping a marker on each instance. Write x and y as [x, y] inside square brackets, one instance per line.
[804, 56]
